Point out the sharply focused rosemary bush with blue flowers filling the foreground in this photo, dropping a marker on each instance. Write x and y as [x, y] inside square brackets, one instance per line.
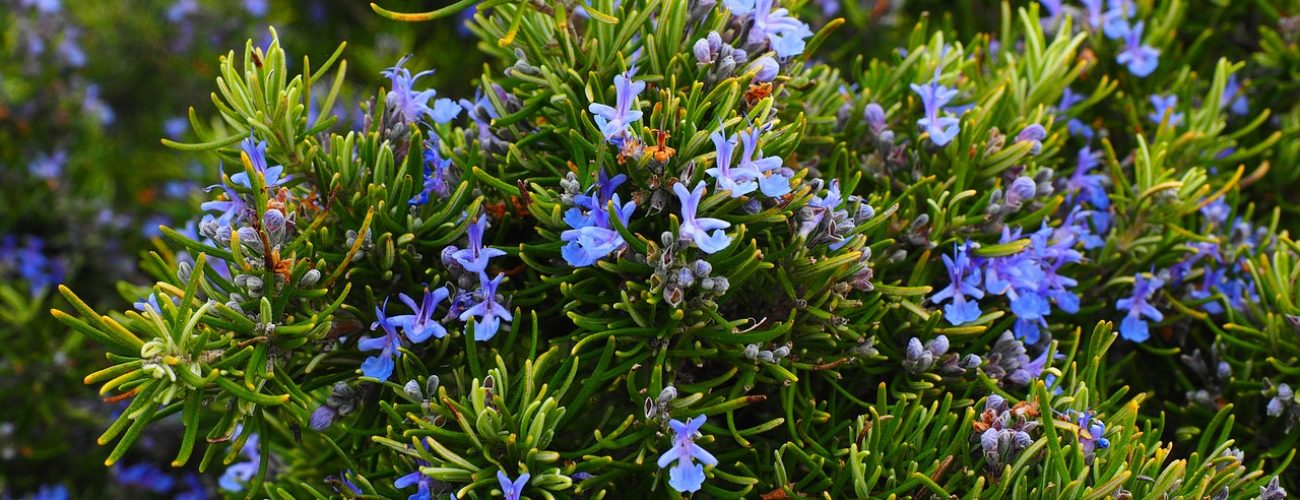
[736, 250]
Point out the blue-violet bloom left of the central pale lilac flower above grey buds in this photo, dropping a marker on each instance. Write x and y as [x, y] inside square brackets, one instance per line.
[593, 237]
